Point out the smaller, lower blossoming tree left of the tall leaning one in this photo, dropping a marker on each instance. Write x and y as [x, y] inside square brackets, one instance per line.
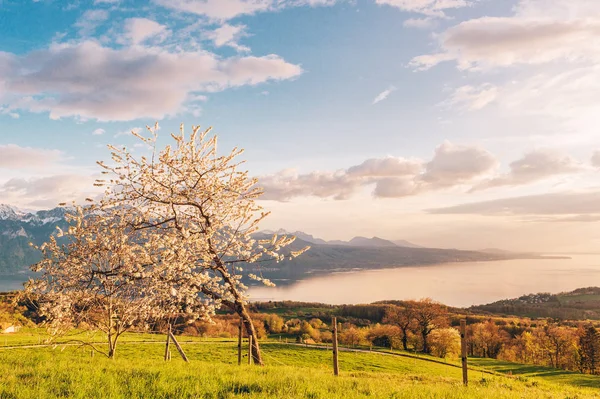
[97, 276]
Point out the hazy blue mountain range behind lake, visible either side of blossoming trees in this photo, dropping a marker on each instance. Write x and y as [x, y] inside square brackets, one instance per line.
[18, 228]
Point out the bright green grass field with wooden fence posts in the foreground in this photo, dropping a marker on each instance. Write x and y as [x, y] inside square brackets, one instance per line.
[291, 372]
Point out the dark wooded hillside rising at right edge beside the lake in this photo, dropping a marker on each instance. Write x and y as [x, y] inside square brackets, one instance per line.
[580, 304]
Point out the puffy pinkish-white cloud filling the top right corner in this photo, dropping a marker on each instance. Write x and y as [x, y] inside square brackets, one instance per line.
[539, 32]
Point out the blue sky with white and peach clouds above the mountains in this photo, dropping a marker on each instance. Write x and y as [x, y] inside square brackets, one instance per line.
[449, 123]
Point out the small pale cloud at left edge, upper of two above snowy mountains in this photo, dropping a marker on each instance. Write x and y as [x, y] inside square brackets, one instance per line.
[16, 157]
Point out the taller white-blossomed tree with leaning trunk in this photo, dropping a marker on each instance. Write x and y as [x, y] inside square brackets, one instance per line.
[190, 194]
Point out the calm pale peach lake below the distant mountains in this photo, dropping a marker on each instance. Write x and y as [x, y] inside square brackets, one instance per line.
[454, 284]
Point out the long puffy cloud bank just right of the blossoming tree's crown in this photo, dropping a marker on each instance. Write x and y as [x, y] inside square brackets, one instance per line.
[391, 177]
